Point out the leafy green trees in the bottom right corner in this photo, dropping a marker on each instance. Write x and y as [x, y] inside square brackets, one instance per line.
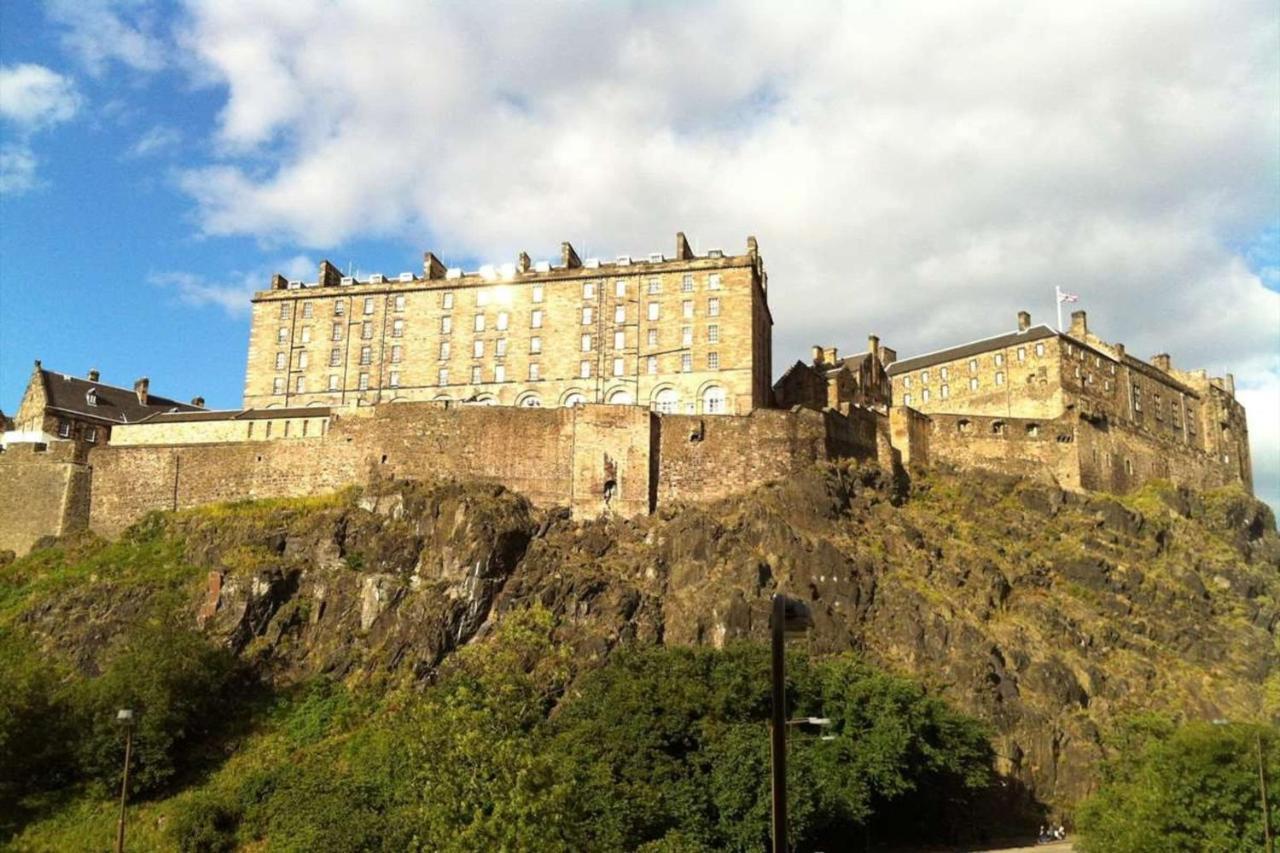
[1191, 787]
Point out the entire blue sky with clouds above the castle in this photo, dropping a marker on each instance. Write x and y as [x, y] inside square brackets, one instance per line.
[916, 171]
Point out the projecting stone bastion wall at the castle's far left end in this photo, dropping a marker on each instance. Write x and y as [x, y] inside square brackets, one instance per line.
[44, 491]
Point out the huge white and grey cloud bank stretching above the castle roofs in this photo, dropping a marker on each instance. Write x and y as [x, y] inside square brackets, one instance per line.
[922, 171]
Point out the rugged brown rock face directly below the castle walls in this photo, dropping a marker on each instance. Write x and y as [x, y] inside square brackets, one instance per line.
[1049, 614]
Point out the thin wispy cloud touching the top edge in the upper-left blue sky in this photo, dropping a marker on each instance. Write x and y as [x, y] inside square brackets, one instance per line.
[99, 33]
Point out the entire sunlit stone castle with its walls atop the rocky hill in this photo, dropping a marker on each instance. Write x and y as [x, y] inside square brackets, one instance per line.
[607, 386]
